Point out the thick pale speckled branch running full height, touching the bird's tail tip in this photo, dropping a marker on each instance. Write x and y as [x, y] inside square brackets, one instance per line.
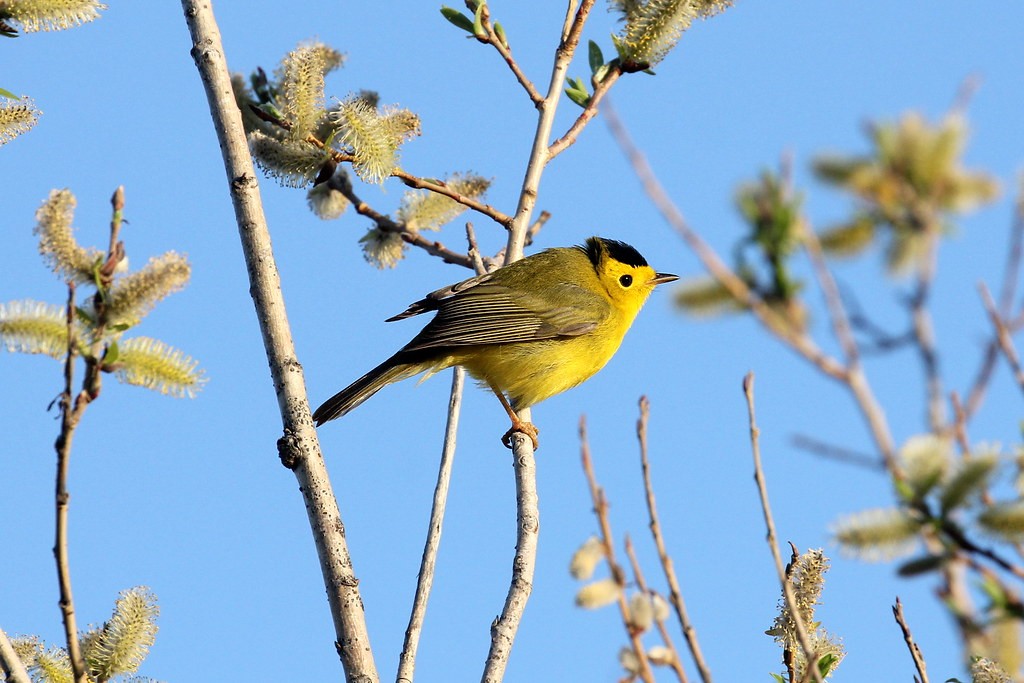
[298, 447]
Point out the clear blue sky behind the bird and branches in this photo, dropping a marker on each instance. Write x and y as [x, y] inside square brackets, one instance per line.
[188, 497]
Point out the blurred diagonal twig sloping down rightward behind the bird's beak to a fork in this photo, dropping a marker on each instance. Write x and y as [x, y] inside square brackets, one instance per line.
[798, 341]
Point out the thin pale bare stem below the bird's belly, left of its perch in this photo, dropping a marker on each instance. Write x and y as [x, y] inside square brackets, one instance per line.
[407, 663]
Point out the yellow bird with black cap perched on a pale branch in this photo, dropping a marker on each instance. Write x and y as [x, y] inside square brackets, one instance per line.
[530, 330]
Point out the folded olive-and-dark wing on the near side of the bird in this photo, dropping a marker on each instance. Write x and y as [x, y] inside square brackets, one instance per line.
[491, 314]
